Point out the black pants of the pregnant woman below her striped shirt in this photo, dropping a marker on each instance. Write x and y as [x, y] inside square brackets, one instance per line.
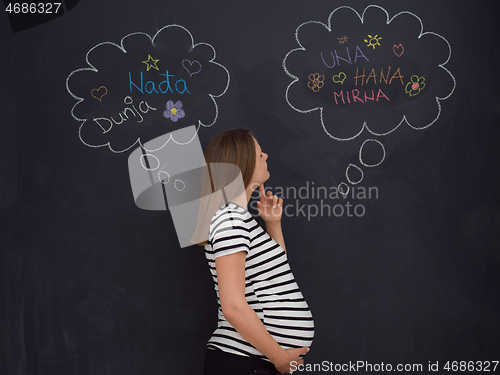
[218, 362]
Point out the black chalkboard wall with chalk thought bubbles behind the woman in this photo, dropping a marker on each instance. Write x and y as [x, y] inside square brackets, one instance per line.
[381, 125]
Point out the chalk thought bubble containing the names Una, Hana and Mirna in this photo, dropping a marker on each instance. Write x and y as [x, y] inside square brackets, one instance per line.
[368, 72]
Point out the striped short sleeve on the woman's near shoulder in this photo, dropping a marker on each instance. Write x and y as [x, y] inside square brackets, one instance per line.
[230, 234]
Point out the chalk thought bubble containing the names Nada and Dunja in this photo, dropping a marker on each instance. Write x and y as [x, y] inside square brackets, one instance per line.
[144, 87]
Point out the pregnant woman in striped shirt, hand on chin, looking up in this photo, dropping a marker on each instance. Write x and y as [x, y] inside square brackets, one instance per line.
[264, 323]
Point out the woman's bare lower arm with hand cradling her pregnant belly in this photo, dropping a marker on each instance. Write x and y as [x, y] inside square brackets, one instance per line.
[231, 283]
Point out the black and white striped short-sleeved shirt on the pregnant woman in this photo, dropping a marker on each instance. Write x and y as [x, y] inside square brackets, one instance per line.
[270, 288]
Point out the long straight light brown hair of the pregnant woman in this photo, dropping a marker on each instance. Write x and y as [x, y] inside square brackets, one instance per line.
[233, 147]
